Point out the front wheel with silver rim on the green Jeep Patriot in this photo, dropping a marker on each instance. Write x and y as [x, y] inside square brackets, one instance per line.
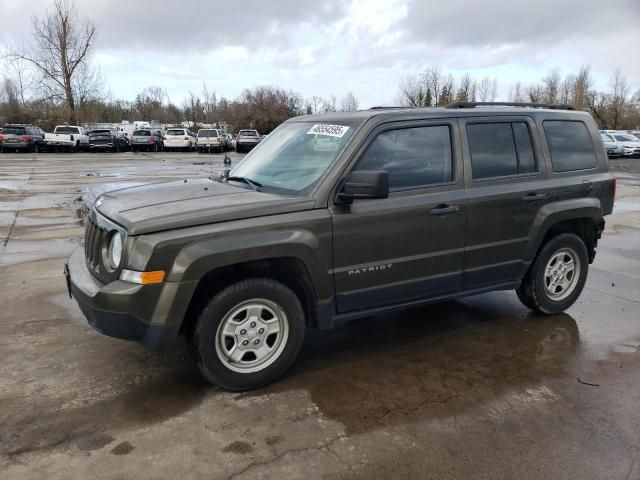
[248, 335]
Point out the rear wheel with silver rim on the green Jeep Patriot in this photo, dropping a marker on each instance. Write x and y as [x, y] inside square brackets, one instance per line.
[556, 276]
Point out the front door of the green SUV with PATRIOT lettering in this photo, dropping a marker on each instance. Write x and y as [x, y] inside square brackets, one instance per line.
[410, 245]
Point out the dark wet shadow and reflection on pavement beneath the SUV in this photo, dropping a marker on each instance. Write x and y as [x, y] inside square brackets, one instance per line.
[430, 362]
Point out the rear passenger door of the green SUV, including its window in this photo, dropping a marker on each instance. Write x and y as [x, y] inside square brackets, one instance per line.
[505, 179]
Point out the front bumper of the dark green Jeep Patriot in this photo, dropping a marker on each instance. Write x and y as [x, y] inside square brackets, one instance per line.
[114, 309]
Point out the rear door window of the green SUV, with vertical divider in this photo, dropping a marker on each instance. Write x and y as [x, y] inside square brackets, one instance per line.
[500, 149]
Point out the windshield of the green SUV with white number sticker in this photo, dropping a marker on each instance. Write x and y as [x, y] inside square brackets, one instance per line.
[295, 156]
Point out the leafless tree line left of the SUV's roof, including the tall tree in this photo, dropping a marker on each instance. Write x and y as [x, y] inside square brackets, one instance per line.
[52, 80]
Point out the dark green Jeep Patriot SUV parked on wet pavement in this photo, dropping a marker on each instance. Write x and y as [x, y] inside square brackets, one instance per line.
[345, 215]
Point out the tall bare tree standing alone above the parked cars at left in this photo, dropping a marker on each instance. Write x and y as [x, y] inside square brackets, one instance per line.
[60, 53]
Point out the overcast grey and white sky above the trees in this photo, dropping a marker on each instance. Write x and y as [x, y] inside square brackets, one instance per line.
[326, 47]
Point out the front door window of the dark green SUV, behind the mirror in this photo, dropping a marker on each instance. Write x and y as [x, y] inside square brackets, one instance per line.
[414, 157]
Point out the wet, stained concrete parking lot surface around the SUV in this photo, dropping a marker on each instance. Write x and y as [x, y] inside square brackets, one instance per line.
[474, 388]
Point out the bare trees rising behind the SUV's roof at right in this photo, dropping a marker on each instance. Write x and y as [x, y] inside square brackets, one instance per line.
[616, 107]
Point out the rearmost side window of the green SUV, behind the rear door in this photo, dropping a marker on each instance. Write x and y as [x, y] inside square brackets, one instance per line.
[570, 145]
